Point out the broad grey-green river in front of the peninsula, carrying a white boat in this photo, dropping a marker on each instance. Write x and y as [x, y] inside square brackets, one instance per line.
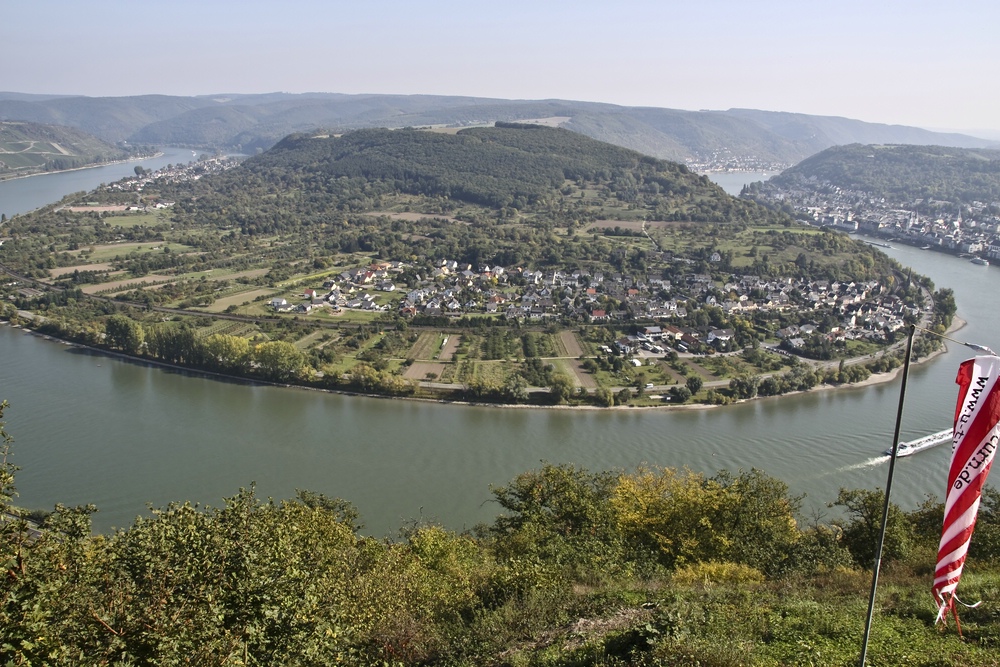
[120, 434]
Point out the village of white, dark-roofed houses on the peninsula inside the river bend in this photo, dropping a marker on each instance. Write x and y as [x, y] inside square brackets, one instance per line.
[692, 315]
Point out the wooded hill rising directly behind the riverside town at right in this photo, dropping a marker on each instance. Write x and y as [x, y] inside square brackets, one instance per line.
[902, 173]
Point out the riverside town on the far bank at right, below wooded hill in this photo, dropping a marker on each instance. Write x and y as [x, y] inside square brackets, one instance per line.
[977, 232]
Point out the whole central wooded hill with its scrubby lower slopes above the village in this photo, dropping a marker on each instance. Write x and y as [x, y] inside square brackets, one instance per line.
[542, 176]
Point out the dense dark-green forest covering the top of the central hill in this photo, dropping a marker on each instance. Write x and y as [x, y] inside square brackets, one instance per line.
[508, 165]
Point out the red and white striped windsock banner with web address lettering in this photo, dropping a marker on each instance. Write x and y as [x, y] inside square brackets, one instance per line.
[974, 444]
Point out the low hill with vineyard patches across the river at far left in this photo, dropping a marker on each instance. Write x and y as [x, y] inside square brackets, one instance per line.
[28, 148]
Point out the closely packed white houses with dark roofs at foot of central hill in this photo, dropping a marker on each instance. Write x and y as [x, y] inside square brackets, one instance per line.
[451, 289]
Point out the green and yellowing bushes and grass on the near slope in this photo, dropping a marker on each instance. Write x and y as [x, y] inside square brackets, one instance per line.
[651, 567]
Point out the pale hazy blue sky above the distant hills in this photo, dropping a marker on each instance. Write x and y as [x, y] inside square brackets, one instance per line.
[931, 64]
